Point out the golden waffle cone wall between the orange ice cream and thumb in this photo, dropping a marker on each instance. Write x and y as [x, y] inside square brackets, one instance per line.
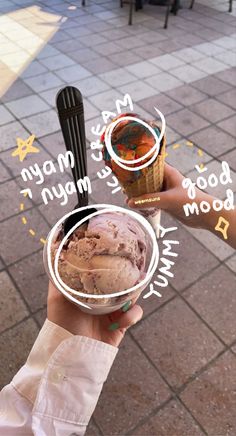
[152, 181]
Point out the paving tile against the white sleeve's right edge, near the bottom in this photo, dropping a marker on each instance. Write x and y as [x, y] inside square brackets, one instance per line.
[130, 384]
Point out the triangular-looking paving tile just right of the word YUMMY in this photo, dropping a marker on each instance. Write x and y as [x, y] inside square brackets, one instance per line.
[192, 257]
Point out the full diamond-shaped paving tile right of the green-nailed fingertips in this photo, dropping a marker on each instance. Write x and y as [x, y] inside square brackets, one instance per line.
[176, 341]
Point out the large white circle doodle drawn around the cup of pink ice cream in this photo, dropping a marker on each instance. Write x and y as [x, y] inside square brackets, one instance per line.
[104, 208]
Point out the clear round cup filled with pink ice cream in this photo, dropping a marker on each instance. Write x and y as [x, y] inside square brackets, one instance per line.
[106, 260]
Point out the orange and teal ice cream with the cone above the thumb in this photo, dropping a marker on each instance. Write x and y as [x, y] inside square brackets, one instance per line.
[131, 140]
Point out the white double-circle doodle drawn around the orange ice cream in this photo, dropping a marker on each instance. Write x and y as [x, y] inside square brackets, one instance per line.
[155, 147]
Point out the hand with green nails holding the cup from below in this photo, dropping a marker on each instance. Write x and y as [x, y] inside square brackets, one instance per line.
[67, 315]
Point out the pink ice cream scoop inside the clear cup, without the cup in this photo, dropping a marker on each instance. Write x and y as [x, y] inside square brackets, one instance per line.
[106, 255]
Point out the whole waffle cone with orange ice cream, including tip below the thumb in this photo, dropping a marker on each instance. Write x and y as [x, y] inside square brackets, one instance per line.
[135, 151]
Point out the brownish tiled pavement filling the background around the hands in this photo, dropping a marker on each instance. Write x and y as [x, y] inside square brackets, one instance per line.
[176, 370]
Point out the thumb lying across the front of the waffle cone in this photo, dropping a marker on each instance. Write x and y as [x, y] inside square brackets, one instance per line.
[159, 200]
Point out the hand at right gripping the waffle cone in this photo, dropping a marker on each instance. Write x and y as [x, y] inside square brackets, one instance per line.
[173, 197]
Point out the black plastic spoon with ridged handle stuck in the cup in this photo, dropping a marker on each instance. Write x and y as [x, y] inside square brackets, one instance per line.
[70, 109]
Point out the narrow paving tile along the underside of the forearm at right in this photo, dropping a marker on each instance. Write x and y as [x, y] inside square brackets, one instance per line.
[212, 242]
